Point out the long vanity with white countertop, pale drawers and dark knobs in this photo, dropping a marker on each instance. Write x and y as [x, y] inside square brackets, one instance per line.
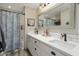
[40, 45]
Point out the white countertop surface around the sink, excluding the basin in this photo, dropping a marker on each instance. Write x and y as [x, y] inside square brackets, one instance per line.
[73, 52]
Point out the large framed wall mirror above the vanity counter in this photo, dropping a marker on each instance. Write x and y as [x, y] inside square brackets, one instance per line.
[59, 17]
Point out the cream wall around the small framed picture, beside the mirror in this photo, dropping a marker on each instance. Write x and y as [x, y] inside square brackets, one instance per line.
[29, 13]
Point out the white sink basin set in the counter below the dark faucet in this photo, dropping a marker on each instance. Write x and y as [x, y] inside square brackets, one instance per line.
[63, 44]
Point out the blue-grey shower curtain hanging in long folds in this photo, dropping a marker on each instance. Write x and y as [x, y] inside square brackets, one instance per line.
[10, 23]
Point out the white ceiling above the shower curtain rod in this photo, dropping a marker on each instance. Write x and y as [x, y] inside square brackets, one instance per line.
[18, 6]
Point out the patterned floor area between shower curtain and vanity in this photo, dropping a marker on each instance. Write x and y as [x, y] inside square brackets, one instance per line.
[17, 53]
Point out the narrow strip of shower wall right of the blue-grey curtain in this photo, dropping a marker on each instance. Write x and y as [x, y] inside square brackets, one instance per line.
[22, 33]
